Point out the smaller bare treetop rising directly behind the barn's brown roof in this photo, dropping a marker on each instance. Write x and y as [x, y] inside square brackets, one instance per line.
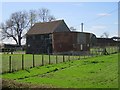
[45, 16]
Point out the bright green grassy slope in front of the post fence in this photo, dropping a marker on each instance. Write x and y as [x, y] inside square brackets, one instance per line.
[96, 72]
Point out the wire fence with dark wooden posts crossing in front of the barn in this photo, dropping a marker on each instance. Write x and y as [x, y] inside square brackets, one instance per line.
[14, 62]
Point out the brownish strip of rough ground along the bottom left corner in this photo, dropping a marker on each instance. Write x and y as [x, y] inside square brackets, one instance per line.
[6, 83]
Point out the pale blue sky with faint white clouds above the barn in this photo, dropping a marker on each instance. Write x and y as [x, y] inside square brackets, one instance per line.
[98, 17]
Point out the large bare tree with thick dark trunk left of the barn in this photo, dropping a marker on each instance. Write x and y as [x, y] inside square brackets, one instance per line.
[14, 27]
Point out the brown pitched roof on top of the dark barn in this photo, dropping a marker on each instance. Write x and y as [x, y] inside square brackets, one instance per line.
[47, 27]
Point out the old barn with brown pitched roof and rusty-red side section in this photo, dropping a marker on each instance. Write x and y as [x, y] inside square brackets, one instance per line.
[56, 38]
